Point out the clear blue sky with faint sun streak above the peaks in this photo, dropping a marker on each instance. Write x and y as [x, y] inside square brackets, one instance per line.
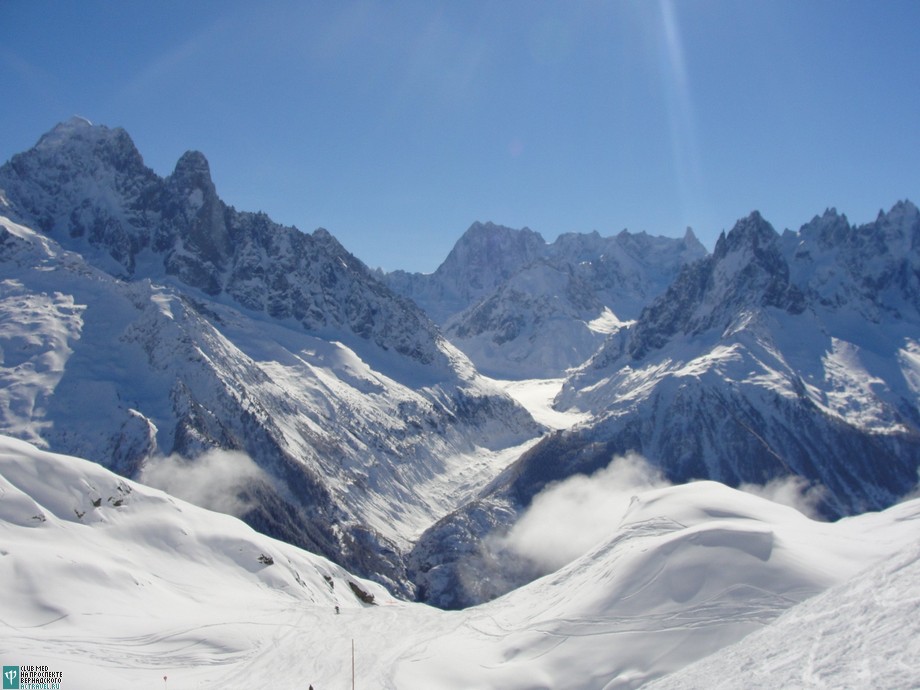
[395, 125]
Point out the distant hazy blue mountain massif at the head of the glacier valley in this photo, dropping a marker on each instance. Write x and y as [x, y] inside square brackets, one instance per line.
[521, 308]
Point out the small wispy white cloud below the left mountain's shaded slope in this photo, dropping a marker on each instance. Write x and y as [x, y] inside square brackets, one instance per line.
[213, 480]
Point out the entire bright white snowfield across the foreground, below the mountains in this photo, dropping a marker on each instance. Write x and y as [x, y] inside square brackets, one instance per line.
[117, 585]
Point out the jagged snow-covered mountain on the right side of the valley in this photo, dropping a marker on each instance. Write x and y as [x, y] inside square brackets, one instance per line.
[794, 355]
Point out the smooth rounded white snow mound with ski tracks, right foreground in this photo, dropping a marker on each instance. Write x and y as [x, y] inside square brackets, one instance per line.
[690, 569]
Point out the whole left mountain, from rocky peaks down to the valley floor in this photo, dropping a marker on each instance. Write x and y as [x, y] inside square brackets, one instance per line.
[144, 324]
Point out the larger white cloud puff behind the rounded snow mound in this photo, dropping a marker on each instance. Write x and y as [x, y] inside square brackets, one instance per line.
[570, 517]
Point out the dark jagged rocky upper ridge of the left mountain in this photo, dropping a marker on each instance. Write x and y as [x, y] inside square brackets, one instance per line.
[86, 187]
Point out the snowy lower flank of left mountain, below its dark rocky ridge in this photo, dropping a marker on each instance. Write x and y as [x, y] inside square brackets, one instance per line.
[348, 435]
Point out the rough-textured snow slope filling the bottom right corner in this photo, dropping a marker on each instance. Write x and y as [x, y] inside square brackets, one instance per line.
[863, 633]
